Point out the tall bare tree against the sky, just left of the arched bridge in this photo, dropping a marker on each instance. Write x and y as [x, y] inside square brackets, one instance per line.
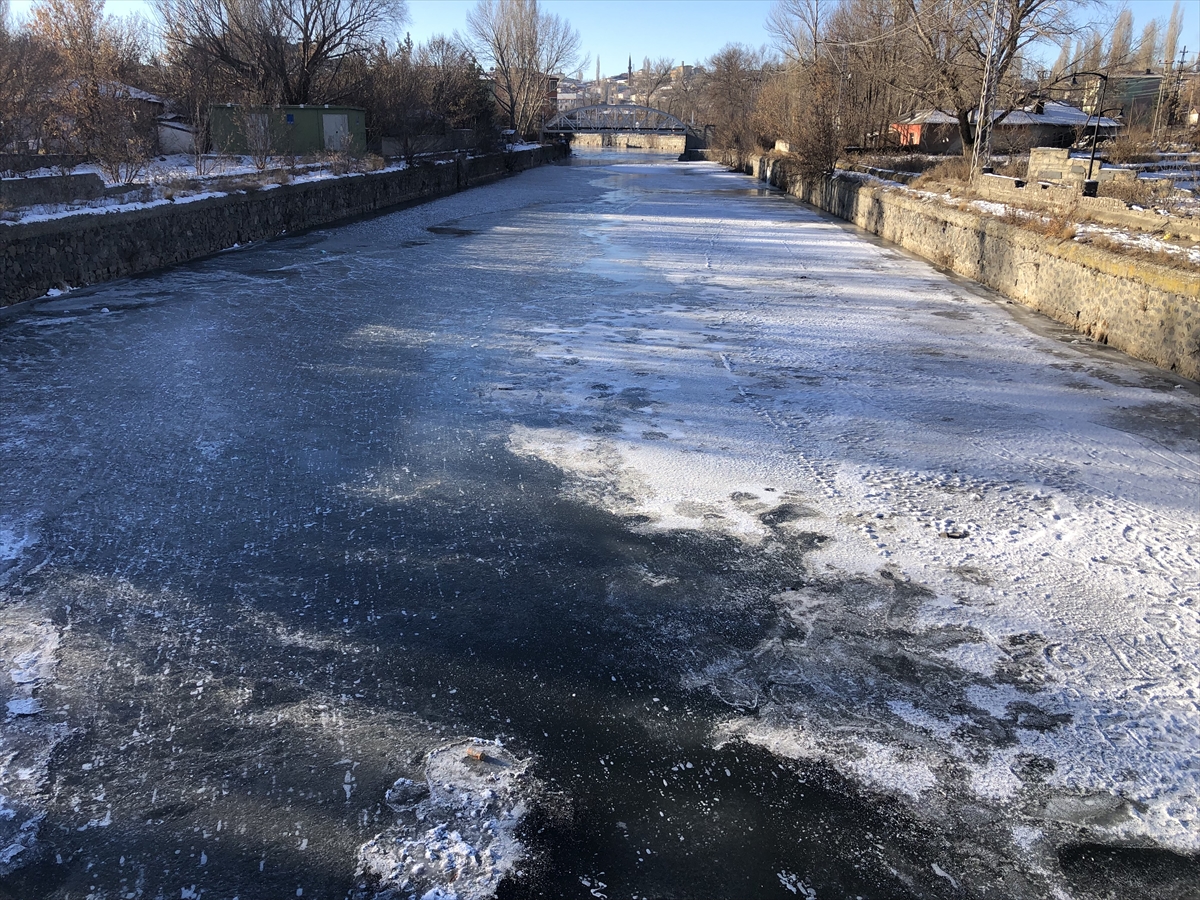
[524, 47]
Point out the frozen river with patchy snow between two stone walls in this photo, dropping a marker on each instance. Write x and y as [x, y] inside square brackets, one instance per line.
[616, 531]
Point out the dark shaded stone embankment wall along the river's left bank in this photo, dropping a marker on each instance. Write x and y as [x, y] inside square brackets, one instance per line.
[95, 248]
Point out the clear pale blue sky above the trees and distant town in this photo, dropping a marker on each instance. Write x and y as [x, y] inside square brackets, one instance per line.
[687, 31]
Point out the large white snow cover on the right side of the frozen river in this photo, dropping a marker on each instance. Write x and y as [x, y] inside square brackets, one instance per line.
[1001, 525]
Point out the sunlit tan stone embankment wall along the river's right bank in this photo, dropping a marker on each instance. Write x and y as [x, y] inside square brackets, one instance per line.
[1149, 311]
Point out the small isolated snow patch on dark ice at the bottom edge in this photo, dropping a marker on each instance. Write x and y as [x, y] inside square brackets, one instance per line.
[455, 836]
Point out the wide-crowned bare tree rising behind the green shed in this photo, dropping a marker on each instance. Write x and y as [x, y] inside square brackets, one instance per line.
[280, 51]
